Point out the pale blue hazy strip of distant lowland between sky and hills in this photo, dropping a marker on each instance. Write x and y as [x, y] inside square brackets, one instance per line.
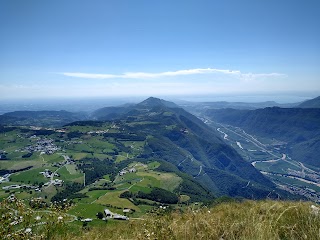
[91, 104]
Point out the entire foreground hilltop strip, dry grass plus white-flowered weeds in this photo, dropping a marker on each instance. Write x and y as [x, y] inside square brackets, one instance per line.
[225, 220]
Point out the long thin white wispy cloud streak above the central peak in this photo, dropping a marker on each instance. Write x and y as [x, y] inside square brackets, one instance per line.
[195, 71]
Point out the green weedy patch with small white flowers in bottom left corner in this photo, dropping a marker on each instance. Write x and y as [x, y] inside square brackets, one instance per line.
[18, 221]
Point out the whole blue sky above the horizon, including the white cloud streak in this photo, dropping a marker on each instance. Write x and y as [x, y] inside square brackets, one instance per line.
[162, 48]
